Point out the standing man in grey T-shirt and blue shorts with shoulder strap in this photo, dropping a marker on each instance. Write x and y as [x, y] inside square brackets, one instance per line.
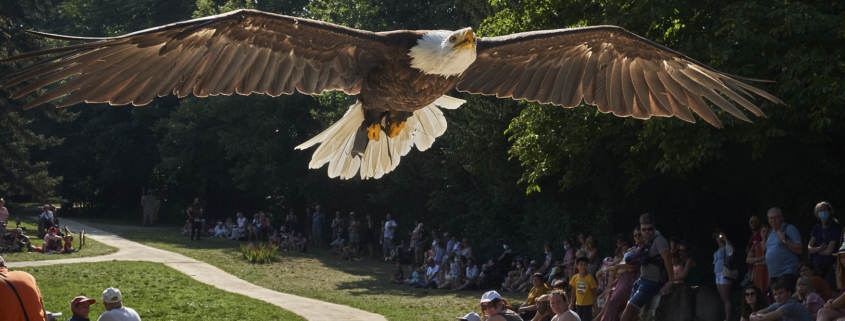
[651, 281]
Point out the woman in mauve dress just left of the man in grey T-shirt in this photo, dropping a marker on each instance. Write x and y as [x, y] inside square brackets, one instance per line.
[627, 275]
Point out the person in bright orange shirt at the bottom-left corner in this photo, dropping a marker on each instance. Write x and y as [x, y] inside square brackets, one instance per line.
[24, 302]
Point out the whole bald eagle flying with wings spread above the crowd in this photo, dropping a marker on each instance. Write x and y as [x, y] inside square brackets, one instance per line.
[401, 77]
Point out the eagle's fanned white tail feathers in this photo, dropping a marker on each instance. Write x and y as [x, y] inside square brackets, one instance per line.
[382, 156]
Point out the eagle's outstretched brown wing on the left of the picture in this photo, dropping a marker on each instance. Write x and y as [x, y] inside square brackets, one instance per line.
[243, 51]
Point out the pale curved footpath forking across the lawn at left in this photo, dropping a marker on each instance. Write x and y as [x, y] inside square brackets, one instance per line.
[206, 273]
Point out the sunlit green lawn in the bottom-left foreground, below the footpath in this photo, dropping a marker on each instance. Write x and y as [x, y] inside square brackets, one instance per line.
[154, 290]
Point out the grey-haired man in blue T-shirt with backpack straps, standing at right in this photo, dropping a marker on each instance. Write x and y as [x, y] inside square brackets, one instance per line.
[782, 250]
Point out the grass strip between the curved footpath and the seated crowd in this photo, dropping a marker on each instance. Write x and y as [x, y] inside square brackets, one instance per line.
[321, 276]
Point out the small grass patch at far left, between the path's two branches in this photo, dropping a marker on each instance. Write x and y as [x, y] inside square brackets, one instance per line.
[91, 248]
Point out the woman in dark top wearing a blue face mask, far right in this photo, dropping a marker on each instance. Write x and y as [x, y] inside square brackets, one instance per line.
[824, 240]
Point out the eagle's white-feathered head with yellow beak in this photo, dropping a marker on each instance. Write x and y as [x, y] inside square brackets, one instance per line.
[445, 53]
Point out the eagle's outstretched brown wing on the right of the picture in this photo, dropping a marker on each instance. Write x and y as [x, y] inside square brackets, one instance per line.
[609, 67]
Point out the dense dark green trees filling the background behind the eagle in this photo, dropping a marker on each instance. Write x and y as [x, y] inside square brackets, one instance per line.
[503, 169]
